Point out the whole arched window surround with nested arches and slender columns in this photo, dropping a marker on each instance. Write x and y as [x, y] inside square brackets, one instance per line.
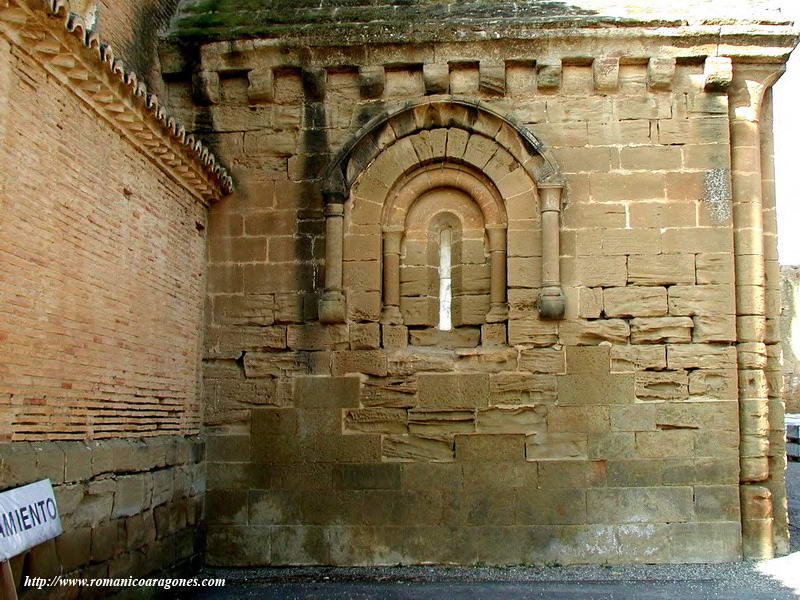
[439, 144]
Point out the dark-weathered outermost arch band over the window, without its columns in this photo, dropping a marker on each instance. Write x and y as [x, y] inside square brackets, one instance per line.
[431, 114]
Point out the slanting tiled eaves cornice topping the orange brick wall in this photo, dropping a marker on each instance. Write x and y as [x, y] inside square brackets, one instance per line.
[58, 39]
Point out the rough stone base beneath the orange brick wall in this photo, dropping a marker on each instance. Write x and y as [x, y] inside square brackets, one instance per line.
[128, 507]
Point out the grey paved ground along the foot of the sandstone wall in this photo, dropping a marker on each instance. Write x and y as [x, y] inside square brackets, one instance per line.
[776, 579]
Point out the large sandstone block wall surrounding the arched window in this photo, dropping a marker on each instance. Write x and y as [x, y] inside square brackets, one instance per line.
[611, 435]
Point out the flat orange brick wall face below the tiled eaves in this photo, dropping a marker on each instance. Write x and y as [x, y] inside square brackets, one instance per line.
[102, 258]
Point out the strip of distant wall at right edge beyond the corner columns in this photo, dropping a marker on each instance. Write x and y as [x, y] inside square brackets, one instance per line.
[790, 336]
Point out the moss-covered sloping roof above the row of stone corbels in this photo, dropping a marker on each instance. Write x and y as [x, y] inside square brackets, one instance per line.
[327, 22]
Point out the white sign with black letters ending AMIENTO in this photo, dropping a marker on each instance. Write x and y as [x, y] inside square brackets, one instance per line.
[28, 516]
